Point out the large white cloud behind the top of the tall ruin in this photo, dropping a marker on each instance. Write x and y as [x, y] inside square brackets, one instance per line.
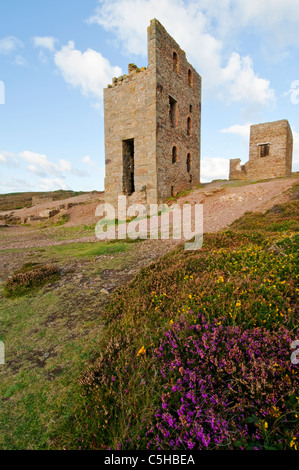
[231, 78]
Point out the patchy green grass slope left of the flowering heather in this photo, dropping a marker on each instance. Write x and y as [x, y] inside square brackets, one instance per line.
[50, 328]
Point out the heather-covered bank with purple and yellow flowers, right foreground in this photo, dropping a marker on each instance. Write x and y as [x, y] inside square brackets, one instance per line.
[197, 349]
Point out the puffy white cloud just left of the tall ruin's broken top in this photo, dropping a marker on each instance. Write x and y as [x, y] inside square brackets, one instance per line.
[89, 71]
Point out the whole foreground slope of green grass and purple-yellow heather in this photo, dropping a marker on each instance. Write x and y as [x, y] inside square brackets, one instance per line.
[194, 353]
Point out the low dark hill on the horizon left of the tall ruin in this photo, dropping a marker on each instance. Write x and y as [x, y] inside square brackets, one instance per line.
[15, 201]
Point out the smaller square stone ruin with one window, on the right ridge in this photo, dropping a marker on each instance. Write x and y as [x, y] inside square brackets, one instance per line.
[270, 153]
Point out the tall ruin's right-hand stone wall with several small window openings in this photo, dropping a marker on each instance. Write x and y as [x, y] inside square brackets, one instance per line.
[176, 84]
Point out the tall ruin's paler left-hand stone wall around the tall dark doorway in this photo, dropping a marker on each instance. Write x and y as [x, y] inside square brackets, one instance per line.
[130, 113]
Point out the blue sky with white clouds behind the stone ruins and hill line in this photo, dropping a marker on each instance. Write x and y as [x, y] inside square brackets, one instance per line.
[57, 56]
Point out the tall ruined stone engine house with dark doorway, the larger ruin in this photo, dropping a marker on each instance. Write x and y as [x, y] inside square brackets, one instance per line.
[152, 125]
